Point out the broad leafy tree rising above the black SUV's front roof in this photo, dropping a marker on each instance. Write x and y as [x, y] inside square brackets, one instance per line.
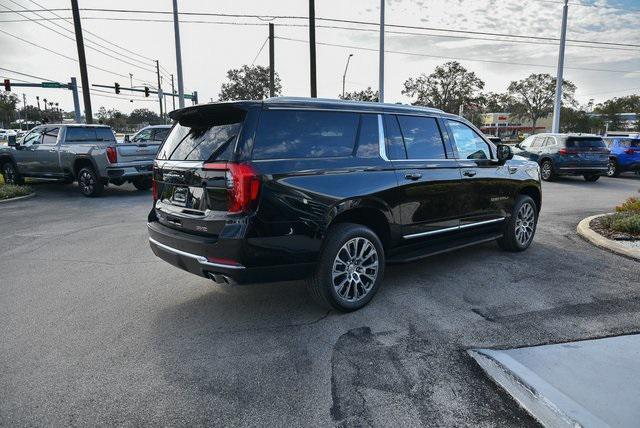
[447, 88]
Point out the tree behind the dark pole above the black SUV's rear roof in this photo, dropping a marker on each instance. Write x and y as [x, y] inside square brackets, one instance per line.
[250, 82]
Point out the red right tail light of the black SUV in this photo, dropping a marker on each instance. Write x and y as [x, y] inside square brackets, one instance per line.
[243, 185]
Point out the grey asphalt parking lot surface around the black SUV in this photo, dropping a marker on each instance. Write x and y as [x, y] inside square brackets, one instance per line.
[97, 331]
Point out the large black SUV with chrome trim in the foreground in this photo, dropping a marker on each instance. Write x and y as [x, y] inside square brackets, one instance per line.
[292, 188]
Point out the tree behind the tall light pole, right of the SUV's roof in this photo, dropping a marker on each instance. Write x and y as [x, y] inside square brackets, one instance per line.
[534, 96]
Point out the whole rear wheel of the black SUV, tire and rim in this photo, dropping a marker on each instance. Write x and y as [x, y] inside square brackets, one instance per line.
[346, 296]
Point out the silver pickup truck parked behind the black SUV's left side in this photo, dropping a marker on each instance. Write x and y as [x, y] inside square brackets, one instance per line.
[88, 154]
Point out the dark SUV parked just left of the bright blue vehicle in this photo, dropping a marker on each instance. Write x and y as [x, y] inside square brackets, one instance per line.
[566, 154]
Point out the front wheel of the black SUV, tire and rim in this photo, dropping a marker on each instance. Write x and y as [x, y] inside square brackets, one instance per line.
[516, 224]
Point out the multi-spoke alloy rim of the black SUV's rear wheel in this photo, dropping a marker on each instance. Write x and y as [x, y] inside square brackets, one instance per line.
[355, 269]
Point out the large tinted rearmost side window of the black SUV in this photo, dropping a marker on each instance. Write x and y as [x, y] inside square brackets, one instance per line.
[305, 134]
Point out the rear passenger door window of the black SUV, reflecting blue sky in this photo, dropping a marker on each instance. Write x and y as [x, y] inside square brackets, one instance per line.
[422, 138]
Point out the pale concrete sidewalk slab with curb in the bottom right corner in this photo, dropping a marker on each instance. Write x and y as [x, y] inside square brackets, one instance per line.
[592, 383]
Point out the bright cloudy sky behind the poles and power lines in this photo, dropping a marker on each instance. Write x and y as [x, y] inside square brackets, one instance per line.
[213, 44]
